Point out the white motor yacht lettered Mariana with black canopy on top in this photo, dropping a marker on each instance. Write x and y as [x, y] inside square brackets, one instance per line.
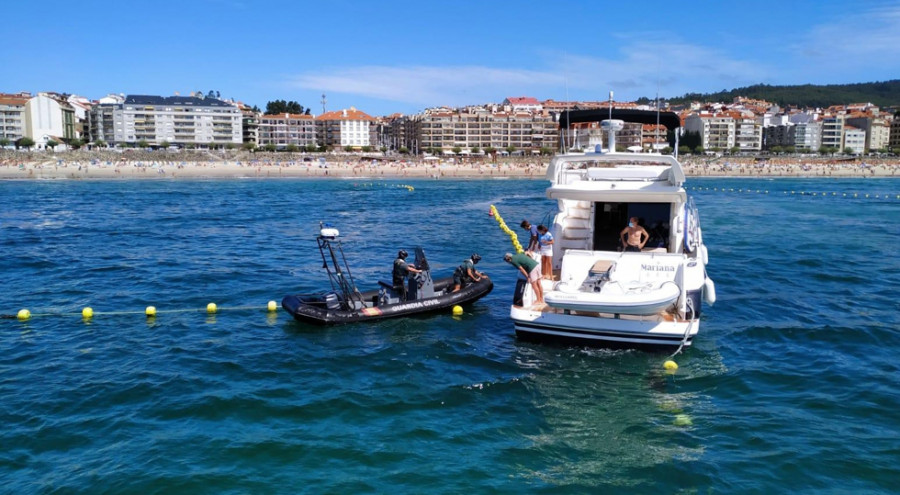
[600, 294]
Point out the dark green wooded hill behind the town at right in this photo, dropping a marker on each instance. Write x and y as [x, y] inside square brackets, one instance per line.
[884, 94]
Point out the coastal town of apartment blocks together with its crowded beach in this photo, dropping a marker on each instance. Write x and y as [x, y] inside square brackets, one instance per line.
[512, 137]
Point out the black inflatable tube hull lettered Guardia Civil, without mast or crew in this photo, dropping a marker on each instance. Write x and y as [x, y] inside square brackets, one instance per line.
[312, 308]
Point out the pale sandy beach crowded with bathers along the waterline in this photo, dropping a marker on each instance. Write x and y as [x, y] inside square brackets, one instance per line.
[231, 164]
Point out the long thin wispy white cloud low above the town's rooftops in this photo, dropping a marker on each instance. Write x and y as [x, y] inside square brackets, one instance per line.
[676, 67]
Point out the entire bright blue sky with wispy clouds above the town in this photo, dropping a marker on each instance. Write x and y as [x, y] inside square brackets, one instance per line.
[385, 57]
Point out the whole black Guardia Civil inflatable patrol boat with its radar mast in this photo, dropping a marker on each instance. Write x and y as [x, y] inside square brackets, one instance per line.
[345, 304]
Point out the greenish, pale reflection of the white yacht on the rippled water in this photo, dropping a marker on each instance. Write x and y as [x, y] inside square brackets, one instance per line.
[603, 415]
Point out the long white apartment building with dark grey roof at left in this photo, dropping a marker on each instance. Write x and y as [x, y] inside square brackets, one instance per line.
[174, 120]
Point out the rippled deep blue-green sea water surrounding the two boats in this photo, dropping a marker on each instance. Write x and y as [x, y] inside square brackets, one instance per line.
[793, 384]
